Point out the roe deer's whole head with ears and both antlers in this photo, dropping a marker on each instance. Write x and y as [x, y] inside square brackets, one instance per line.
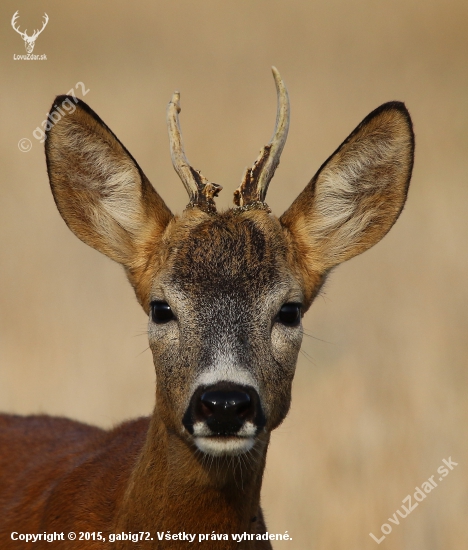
[225, 292]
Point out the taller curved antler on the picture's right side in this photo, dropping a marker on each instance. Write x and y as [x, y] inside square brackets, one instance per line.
[254, 186]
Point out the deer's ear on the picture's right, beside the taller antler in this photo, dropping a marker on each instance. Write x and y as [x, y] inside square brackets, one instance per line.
[357, 194]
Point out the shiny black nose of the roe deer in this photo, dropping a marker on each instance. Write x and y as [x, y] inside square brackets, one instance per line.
[224, 408]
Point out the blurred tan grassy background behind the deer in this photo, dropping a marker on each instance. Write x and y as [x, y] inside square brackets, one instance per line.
[380, 391]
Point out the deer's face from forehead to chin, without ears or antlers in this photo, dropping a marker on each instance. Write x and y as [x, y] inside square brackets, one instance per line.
[225, 328]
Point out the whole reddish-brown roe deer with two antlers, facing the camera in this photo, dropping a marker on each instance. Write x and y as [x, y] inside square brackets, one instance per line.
[225, 294]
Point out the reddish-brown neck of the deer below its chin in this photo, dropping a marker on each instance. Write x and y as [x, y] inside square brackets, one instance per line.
[174, 487]
